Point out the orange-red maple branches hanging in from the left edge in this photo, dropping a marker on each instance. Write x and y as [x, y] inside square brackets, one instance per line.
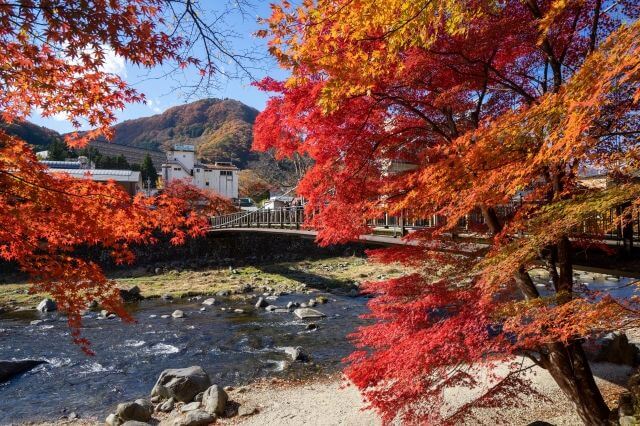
[52, 62]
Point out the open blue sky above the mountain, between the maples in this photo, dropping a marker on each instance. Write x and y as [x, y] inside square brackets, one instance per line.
[164, 92]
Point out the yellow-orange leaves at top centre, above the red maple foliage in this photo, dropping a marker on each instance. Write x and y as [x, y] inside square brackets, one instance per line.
[357, 42]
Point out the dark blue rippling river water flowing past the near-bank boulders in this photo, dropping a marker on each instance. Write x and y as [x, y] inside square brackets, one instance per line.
[234, 348]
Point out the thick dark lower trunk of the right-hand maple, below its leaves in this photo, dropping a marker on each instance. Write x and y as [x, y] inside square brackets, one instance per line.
[569, 367]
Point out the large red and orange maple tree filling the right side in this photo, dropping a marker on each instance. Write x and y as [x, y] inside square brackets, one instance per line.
[497, 108]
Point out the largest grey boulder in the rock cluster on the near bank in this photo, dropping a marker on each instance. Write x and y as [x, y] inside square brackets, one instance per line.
[182, 384]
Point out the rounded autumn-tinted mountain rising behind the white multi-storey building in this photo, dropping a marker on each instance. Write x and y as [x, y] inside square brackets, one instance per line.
[221, 130]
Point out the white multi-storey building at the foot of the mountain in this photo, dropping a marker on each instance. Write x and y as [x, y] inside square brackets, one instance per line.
[219, 177]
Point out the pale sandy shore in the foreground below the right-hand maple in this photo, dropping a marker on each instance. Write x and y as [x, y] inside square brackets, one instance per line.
[327, 402]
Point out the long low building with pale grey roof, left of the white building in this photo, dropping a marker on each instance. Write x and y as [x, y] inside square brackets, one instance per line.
[81, 168]
